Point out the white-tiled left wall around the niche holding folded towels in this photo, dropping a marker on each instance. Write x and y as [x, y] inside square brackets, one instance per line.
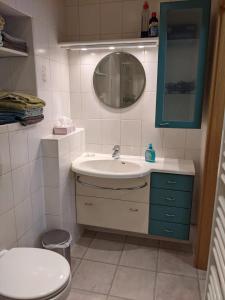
[22, 212]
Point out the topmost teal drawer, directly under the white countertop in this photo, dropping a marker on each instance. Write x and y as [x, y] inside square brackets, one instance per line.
[172, 181]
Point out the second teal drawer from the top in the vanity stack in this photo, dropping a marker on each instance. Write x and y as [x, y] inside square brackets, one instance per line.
[171, 198]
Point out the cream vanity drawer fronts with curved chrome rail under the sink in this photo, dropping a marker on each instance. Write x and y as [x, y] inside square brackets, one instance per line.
[121, 204]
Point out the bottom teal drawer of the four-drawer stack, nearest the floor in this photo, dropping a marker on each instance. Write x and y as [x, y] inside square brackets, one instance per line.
[170, 230]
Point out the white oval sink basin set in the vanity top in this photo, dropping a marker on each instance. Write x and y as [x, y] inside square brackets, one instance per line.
[105, 166]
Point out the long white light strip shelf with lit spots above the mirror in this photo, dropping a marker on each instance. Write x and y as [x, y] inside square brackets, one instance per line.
[111, 45]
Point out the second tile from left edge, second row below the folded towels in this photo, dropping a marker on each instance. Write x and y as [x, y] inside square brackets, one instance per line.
[21, 184]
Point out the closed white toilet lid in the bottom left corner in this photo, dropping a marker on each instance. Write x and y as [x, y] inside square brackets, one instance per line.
[32, 273]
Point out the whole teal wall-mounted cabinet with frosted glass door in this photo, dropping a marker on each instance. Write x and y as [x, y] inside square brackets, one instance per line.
[182, 59]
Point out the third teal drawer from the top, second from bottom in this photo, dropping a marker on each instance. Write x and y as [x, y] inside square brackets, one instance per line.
[170, 214]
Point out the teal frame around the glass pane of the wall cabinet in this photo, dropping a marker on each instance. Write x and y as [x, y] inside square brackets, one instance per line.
[205, 5]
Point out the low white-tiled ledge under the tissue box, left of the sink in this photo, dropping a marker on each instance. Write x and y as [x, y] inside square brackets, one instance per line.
[58, 152]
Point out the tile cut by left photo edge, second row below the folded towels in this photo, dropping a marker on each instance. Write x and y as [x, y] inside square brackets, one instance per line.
[6, 195]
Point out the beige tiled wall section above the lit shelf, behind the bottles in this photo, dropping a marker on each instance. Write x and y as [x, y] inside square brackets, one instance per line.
[104, 19]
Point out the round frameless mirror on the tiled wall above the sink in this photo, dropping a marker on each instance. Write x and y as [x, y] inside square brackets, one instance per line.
[119, 80]
